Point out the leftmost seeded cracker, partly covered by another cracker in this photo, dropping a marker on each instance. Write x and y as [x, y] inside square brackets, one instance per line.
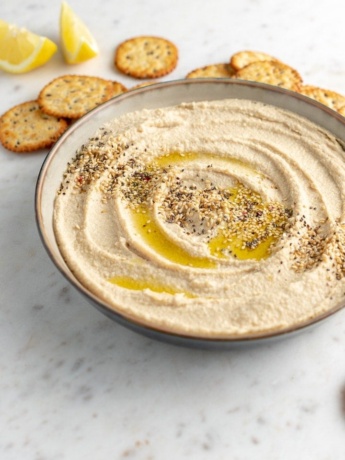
[25, 128]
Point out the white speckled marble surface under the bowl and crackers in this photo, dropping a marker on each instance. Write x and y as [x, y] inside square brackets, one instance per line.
[75, 385]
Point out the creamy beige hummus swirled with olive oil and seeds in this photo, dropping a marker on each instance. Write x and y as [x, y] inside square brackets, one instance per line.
[216, 219]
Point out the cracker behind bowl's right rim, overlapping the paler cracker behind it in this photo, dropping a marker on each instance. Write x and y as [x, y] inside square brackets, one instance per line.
[271, 72]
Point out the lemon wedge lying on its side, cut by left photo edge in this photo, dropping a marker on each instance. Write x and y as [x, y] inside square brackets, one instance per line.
[22, 50]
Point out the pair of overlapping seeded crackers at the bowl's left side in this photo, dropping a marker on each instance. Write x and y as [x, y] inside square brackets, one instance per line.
[38, 124]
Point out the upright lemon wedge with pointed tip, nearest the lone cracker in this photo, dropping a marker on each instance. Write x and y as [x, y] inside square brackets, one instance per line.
[77, 43]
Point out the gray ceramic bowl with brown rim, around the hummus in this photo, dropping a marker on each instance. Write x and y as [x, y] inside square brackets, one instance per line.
[154, 96]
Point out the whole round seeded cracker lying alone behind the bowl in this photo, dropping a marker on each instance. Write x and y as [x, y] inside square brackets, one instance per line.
[146, 57]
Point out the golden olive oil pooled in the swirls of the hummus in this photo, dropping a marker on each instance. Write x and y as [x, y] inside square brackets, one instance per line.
[249, 230]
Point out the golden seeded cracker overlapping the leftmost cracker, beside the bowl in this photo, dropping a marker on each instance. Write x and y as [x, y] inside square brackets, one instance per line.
[72, 96]
